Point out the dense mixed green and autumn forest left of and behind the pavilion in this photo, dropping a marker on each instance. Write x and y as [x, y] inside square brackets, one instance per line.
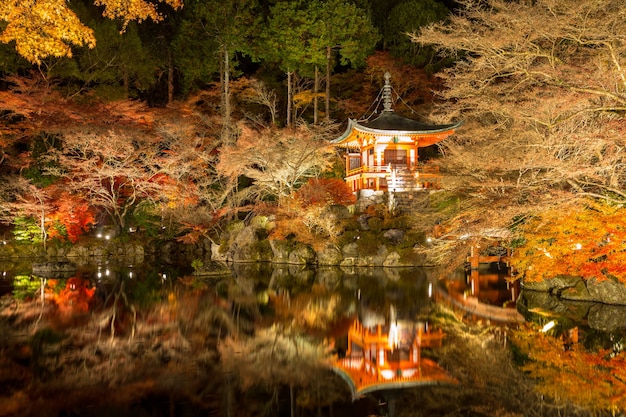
[187, 115]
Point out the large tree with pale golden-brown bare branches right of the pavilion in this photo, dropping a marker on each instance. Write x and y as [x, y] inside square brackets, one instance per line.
[540, 86]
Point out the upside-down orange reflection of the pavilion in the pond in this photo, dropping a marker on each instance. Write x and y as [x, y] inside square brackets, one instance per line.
[383, 357]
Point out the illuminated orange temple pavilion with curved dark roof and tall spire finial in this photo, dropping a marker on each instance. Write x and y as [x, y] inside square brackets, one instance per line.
[382, 154]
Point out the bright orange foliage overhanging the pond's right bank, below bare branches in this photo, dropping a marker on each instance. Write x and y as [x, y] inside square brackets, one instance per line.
[585, 241]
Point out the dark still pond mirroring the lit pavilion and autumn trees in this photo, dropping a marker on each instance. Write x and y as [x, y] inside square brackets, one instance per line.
[155, 340]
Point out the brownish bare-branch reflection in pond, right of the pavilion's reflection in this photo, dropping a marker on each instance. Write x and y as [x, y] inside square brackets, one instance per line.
[490, 382]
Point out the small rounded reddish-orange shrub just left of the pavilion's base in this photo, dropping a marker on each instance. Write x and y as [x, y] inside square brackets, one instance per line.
[325, 191]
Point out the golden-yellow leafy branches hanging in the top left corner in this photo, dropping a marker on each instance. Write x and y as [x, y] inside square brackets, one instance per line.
[42, 28]
